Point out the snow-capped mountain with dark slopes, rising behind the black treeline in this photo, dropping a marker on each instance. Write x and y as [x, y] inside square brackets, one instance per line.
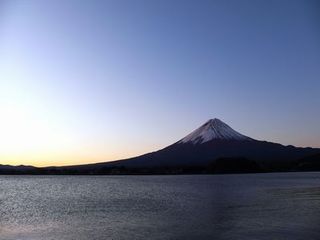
[212, 141]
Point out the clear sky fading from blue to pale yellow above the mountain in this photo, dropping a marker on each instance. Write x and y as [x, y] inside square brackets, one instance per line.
[90, 81]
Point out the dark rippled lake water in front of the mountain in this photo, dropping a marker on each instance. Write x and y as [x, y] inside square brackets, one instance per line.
[254, 206]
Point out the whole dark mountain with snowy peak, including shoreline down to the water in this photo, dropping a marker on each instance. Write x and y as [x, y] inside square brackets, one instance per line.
[211, 148]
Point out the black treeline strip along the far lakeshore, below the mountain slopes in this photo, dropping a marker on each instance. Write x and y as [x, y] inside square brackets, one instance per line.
[218, 166]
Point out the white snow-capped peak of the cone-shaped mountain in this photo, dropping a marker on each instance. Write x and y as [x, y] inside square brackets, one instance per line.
[211, 130]
